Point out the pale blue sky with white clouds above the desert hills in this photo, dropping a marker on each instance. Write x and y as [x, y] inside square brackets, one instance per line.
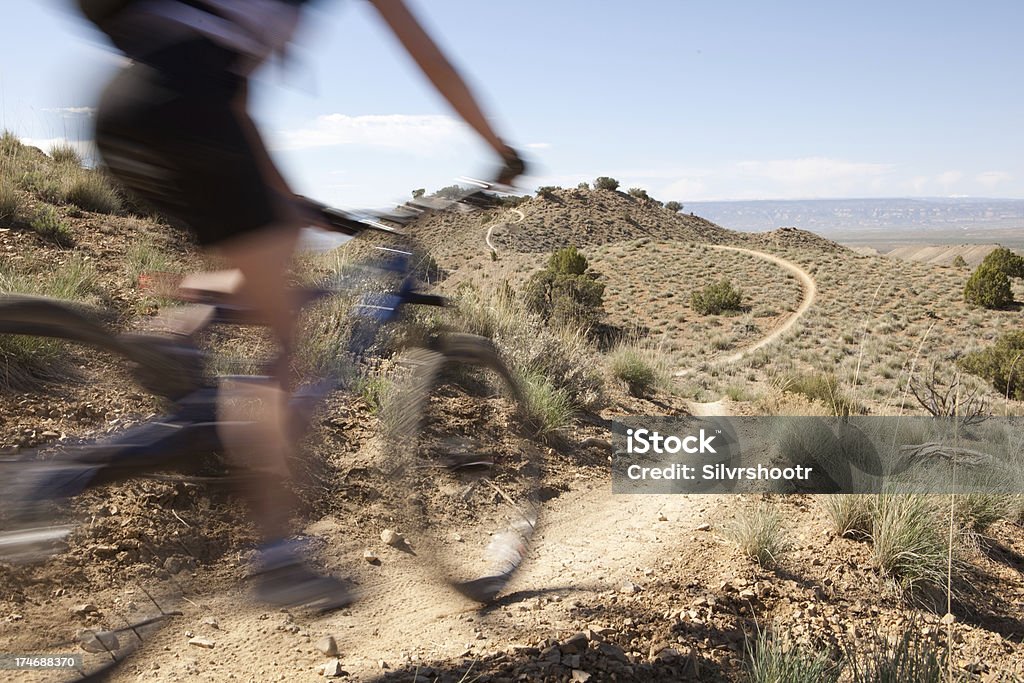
[693, 100]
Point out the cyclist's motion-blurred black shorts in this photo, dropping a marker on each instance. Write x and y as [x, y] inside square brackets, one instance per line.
[174, 130]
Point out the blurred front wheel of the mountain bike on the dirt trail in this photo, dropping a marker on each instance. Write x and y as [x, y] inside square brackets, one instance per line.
[464, 465]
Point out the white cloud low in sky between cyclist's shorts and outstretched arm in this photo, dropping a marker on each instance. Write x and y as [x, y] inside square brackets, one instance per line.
[417, 134]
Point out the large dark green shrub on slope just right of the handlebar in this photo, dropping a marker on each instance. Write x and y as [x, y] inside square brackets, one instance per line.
[566, 292]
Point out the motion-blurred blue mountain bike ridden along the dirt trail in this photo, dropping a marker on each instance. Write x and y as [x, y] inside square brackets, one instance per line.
[456, 444]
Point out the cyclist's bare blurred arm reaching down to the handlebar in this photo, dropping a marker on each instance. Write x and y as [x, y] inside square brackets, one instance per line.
[437, 68]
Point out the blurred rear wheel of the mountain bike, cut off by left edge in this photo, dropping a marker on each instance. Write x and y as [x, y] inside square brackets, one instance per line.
[73, 589]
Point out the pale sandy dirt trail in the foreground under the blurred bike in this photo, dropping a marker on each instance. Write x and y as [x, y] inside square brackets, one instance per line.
[590, 544]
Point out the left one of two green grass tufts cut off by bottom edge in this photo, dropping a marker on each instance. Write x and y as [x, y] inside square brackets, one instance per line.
[774, 659]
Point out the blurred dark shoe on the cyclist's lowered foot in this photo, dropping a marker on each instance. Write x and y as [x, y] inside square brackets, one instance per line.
[284, 581]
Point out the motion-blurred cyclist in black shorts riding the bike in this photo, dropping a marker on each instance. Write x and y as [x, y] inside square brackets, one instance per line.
[174, 129]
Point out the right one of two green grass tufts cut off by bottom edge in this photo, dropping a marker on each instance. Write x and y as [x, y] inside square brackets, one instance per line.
[909, 659]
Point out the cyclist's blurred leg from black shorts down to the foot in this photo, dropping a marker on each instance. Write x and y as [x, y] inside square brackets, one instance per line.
[177, 133]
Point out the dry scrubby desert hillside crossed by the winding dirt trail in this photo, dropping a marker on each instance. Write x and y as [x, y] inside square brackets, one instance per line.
[625, 588]
